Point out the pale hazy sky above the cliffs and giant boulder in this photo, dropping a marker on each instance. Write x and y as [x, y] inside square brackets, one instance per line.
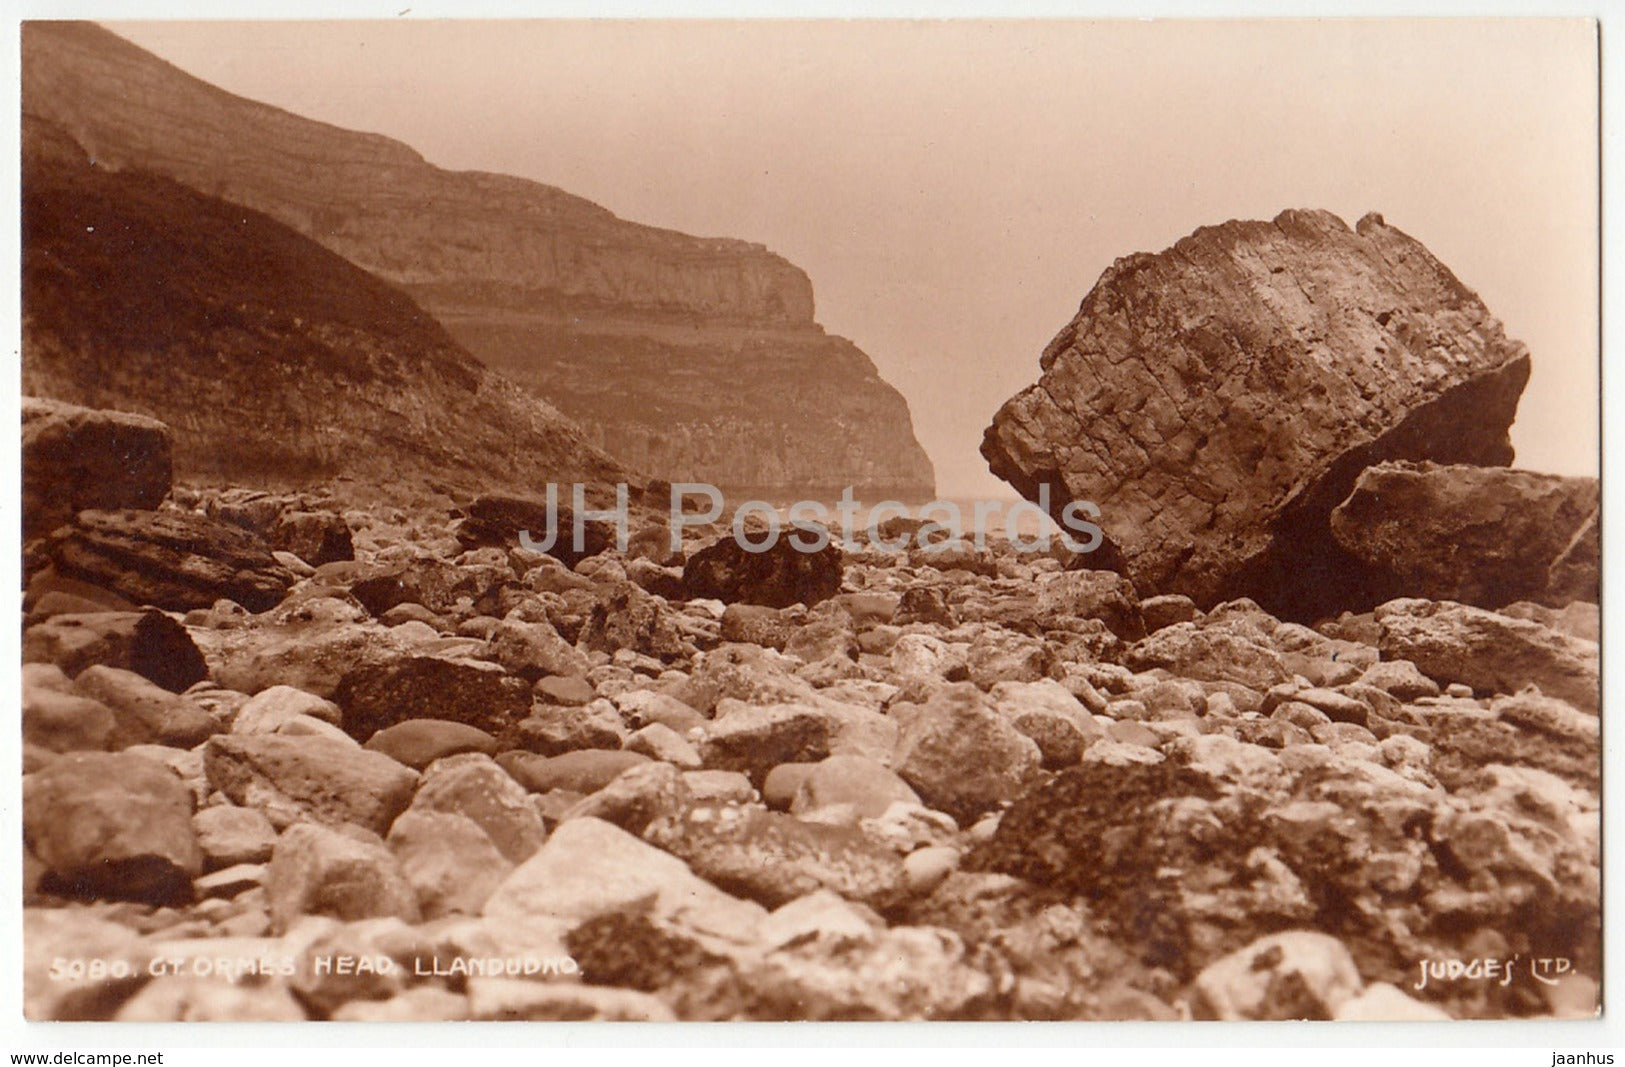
[955, 189]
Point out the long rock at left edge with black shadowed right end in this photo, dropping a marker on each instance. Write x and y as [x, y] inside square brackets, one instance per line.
[149, 644]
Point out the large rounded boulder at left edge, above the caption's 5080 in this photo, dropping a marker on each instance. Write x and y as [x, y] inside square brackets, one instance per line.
[113, 826]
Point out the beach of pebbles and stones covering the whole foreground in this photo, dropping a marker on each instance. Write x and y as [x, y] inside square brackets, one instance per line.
[438, 782]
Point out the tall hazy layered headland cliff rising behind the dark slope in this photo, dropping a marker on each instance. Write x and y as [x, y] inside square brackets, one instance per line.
[600, 316]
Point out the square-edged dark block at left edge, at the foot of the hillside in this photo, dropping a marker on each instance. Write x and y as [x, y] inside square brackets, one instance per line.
[77, 459]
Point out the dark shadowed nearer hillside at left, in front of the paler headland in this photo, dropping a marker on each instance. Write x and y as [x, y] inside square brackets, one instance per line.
[275, 361]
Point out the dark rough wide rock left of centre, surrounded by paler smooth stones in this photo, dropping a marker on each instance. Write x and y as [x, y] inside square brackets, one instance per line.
[381, 694]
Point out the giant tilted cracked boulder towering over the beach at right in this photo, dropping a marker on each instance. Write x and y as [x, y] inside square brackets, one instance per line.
[1220, 399]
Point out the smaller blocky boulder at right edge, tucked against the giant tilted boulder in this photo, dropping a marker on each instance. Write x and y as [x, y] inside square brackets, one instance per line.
[1476, 535]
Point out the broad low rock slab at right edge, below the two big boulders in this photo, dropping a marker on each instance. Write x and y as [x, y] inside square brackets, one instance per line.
[1491, 652]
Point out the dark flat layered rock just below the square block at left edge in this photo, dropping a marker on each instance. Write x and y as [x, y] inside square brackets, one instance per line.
[176, 561]
